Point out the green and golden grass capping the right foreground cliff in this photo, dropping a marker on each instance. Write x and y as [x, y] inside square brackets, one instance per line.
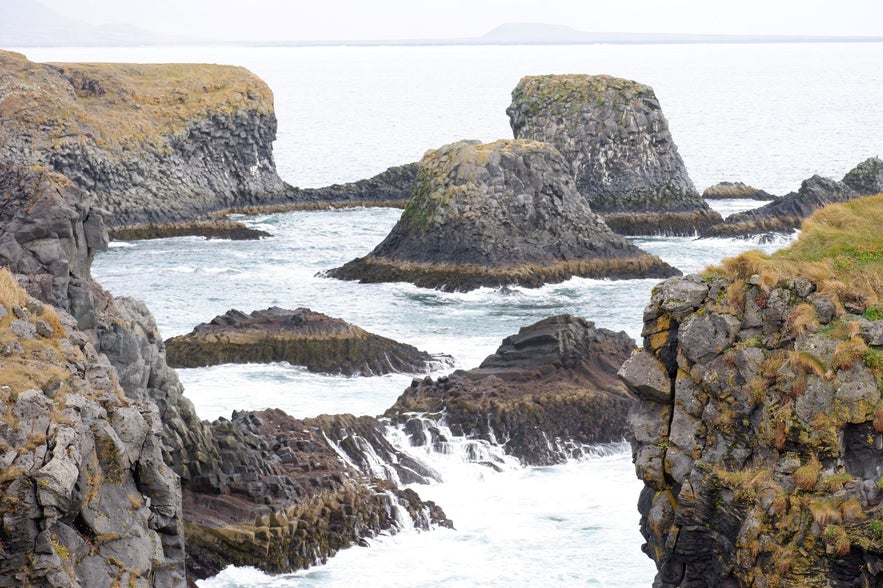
[840, 250]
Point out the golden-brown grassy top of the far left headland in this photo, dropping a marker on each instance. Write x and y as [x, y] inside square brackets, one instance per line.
[115, 105]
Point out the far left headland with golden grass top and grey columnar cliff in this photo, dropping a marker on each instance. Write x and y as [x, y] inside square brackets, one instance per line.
[153, 143]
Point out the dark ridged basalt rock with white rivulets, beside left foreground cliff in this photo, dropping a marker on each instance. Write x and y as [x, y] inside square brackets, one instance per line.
[300, 491]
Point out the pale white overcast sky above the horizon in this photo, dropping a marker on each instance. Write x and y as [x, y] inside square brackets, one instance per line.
[304, 20]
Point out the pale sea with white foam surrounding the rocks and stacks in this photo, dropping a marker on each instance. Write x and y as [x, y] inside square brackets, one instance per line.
[770, 115]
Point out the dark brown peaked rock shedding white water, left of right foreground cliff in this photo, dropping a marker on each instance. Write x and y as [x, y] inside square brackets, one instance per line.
[544, 395]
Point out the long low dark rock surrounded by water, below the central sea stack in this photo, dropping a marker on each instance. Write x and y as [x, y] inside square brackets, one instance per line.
[301, 337]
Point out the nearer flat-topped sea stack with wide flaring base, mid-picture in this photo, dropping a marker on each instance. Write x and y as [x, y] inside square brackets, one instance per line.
[496, 214]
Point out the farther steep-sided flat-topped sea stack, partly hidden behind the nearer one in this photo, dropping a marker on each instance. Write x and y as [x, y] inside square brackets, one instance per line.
[616, 140]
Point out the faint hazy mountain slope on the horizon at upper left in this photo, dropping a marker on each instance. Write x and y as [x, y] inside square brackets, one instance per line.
[27, 23]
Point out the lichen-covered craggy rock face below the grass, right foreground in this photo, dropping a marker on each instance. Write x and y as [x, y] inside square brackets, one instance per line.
[758, 441]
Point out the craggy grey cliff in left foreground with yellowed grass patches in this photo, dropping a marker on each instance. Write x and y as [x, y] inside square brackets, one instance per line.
[86, 495]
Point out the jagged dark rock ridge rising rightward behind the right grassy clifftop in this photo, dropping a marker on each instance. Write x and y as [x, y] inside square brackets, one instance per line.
[787, 213]
